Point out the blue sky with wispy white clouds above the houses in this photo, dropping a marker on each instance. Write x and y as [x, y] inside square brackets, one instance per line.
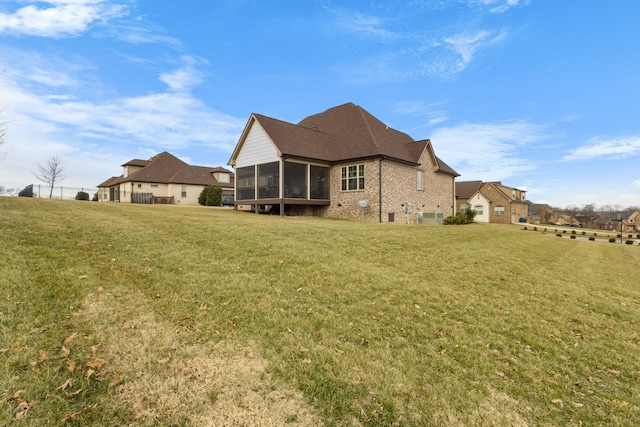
[541, 95]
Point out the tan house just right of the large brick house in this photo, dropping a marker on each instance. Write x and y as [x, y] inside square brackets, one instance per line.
[492, 201]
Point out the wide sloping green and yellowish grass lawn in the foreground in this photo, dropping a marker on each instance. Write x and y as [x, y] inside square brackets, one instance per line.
[113, 314]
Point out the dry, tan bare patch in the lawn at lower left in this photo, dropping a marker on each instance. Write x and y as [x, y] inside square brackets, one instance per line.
[166, 381]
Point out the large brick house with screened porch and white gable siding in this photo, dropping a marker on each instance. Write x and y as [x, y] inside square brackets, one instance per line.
[342, 163]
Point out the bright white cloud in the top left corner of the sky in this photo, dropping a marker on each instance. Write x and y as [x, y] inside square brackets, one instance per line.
[64, 18]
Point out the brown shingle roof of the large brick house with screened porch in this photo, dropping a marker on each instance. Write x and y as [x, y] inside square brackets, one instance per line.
[342, 133]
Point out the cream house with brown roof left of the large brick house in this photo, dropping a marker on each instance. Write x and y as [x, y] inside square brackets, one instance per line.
[164, 179]
